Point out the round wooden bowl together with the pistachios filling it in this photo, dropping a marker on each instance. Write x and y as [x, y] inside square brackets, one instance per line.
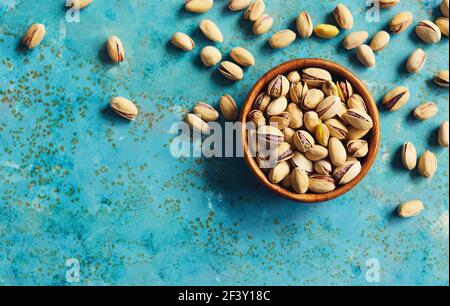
[311, 130]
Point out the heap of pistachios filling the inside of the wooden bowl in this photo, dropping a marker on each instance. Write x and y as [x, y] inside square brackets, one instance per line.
[309, 131]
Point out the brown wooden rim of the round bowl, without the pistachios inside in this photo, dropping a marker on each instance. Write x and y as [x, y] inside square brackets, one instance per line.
[338, 72]
